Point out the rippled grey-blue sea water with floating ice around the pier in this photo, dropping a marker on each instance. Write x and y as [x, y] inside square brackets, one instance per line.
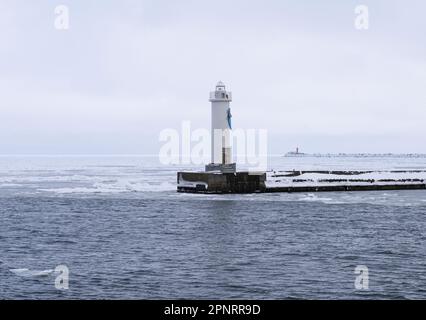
[119, 226]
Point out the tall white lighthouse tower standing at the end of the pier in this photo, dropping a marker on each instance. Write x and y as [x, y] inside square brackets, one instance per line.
[221, 131]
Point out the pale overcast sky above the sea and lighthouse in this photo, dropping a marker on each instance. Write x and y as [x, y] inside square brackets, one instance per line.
[126, 70]
